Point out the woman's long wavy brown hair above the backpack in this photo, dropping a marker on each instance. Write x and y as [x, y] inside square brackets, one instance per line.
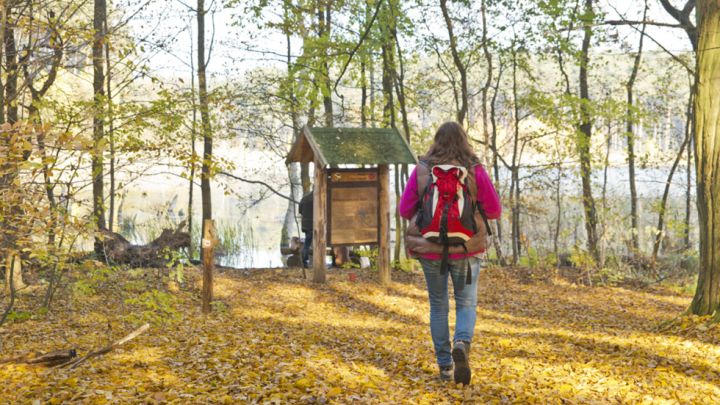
[451, 145]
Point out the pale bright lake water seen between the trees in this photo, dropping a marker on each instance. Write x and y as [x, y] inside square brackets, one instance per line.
[256, 228]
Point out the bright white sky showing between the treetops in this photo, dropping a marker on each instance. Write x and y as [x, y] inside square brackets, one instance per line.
[236, 49]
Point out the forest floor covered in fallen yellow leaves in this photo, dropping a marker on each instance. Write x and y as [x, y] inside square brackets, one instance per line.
[275, 337]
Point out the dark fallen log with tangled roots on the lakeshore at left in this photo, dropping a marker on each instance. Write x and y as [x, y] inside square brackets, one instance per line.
[120, 251]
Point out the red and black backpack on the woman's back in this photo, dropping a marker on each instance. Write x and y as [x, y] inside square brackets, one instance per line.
[448, 210]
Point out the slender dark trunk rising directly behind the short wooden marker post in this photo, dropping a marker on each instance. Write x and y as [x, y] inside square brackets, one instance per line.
[205, 118]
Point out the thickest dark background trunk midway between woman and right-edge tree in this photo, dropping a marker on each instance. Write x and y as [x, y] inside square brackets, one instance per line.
[583, 140]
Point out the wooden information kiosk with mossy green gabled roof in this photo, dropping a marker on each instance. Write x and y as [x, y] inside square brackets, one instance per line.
[351, 205]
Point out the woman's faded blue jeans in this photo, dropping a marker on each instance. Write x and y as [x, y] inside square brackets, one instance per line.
[465, 303]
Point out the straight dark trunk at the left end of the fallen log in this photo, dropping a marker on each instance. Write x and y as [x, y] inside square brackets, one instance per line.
[99, 18]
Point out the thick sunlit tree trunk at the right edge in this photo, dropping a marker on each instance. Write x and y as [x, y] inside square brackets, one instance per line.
[707, 154]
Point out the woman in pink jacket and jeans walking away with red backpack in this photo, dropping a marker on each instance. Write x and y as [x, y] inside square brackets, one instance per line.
[450, 164]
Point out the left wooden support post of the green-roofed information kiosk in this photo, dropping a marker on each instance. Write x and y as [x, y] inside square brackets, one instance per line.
[319, 223]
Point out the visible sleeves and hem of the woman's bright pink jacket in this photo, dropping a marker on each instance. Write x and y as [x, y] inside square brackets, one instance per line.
[487, 196]
